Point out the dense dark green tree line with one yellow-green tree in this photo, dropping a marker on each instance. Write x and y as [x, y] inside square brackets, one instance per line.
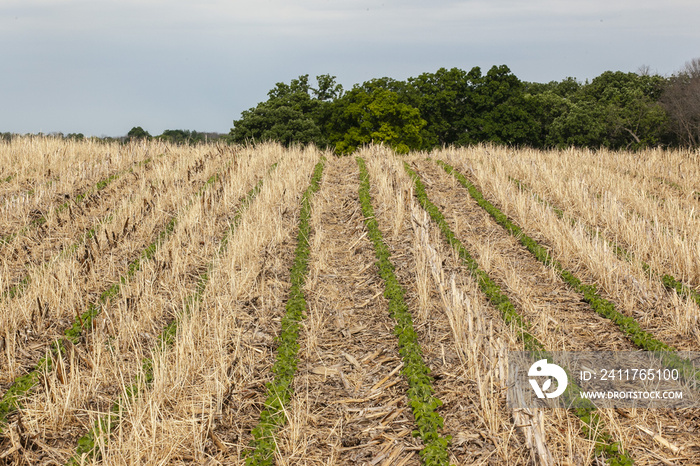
[615, 110]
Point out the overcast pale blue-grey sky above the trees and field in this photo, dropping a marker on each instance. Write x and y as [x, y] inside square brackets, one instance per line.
[101, 67]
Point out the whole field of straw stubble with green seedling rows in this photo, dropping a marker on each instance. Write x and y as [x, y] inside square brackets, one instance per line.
[222, 304]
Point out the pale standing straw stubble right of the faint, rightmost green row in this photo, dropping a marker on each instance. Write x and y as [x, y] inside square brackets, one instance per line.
[656, 222]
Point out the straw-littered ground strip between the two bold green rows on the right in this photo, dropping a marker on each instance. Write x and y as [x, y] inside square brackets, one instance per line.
[561, 320]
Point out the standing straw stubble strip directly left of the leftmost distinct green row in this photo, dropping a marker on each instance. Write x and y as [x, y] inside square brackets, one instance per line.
[69, 282]
